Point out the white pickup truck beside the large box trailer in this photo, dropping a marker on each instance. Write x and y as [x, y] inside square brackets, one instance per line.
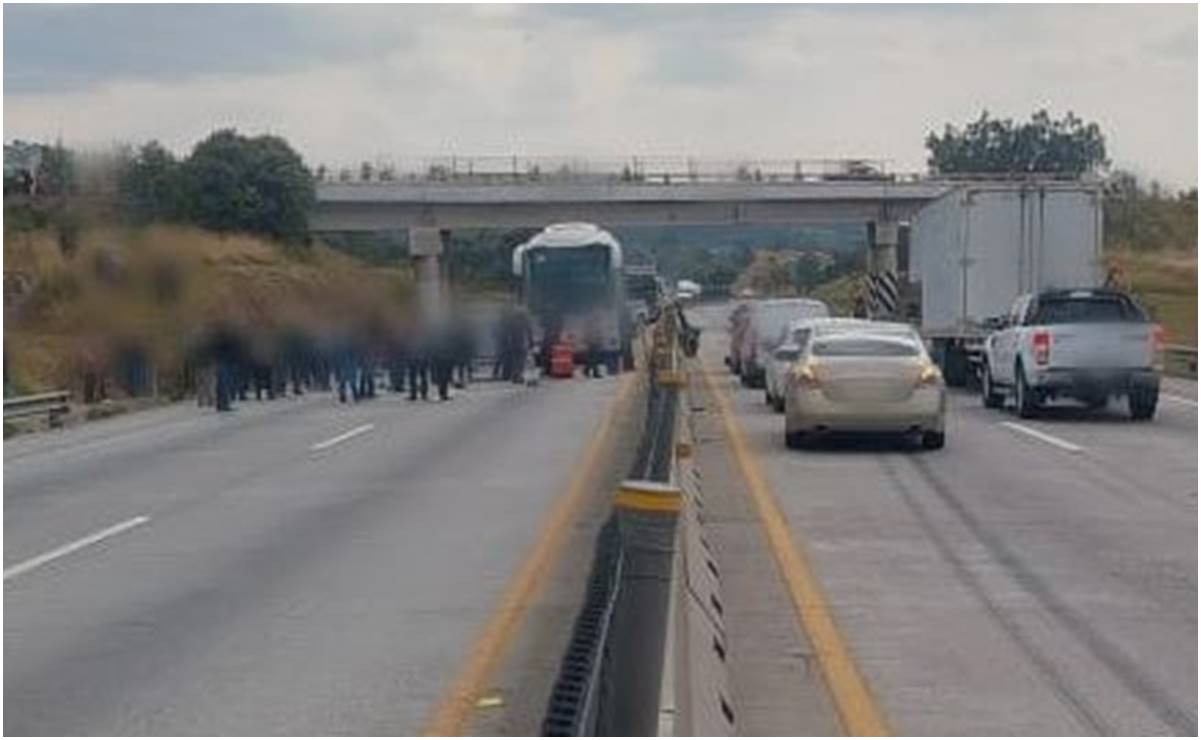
[1089, 345]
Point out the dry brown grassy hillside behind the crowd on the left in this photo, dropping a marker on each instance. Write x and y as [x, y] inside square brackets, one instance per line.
[156, 290]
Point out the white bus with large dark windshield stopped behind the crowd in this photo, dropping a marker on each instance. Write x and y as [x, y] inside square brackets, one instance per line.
[571, 282]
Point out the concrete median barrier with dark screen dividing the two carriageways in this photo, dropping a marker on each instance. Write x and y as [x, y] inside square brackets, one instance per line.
[649, 651]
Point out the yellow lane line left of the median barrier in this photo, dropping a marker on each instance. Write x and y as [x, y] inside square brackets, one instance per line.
[453, 712]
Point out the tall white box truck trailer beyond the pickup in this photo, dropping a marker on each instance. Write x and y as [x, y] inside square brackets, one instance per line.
[979, 247]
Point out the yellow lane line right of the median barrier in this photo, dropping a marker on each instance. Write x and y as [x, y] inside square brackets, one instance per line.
[858, 712]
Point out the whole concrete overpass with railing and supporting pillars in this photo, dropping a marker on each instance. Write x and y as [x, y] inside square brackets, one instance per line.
[503, 193]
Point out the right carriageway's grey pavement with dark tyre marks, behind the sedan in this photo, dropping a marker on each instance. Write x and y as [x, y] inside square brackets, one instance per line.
[1035, 577]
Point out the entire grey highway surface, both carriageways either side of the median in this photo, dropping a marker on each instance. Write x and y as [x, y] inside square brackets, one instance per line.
[307, 568]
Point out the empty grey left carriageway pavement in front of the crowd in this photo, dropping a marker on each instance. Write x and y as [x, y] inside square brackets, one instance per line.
[279, 587]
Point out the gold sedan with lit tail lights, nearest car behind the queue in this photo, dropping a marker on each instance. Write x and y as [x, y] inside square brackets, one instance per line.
[865, 383]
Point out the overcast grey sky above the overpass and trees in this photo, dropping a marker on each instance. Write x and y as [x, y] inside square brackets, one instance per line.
[366, 82]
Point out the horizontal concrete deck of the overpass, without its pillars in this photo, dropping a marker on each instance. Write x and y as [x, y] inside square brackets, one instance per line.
[396, 206]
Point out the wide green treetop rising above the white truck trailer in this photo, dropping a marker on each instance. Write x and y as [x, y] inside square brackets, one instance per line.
[1068, 146]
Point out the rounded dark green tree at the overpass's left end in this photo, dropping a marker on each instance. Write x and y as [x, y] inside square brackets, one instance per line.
[253, 184]
